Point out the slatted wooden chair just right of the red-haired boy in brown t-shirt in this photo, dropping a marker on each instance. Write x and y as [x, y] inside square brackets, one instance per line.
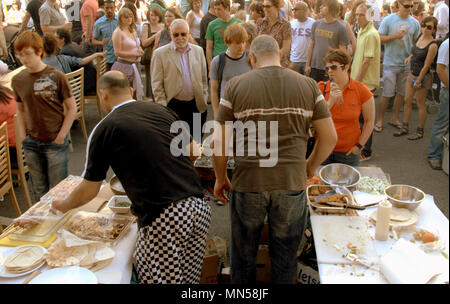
[76, 81]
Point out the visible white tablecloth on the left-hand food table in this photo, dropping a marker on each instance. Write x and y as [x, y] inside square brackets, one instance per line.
[119, 271]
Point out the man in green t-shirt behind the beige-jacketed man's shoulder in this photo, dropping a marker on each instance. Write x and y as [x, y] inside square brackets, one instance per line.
[216, 29]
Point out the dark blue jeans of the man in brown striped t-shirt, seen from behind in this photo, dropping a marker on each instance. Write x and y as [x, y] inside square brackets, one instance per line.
[287, 213]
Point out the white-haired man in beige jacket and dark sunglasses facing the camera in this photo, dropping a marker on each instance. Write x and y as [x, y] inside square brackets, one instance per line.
[179, 76]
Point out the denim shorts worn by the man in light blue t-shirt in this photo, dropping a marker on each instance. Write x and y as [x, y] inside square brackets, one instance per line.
[394, 80]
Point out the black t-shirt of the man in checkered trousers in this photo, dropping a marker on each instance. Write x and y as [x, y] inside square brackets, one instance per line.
[134, 139]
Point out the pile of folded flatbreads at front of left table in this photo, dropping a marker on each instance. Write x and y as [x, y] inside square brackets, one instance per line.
[71, 250]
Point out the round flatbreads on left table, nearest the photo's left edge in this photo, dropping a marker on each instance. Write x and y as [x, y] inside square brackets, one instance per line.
[24, 258]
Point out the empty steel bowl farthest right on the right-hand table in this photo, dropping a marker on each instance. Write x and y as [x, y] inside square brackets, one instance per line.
[404, 196]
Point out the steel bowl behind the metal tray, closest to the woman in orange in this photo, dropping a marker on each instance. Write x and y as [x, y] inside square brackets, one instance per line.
[340, 174]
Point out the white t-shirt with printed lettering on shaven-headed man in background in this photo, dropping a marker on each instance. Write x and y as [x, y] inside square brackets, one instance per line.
[301, 36]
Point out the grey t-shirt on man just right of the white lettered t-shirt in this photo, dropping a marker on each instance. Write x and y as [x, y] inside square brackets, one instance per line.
[325, 36]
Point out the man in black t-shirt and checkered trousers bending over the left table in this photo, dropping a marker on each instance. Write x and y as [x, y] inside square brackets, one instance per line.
[165, 190]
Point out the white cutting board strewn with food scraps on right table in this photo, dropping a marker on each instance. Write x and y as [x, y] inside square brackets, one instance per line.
[332, 230]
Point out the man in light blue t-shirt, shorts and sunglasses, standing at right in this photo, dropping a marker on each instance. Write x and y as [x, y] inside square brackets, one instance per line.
[397, 32]
